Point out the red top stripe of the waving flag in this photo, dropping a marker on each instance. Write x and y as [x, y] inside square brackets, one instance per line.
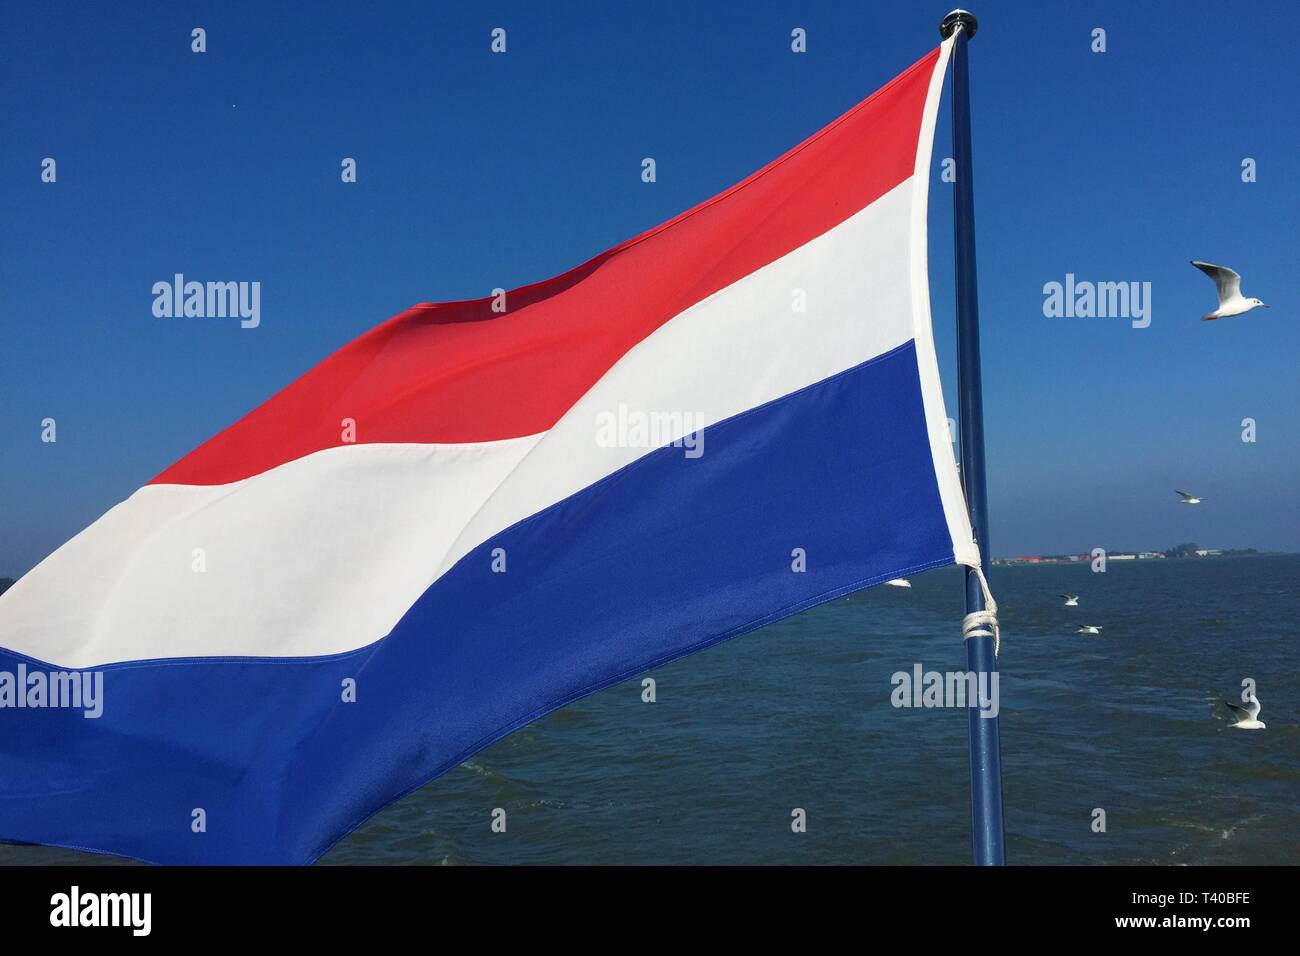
[460, 373]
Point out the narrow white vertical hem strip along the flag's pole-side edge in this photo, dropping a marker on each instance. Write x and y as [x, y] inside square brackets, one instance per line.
[965, 551]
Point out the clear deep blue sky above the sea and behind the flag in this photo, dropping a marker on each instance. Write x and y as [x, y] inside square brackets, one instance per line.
[480, 171]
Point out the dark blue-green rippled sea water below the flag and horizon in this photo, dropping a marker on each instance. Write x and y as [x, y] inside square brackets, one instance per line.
[799, 717]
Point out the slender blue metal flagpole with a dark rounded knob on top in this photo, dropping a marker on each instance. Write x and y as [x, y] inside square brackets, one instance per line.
[987, 841]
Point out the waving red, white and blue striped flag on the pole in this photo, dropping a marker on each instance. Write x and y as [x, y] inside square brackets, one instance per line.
[480, 512]
